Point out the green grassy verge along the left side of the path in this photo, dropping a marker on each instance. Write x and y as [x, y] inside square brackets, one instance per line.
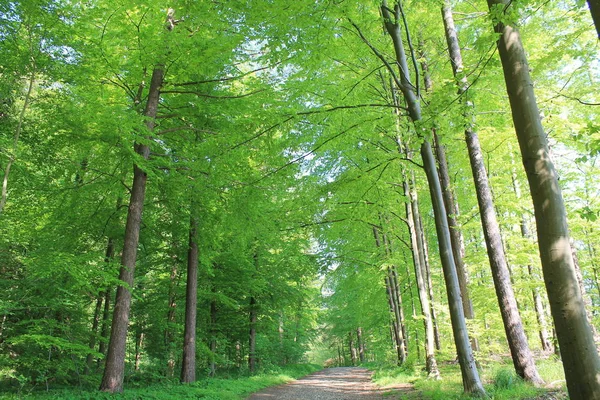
[208, 389]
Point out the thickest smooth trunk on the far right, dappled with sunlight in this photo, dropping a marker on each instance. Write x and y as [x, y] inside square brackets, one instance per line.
[580, 356]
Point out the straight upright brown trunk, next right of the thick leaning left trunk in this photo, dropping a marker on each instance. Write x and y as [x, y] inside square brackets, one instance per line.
[188, 366]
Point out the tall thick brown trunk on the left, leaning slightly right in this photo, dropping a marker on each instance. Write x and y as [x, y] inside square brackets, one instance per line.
[114, 369]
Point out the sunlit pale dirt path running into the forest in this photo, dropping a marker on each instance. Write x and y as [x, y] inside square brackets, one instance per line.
[328, 384]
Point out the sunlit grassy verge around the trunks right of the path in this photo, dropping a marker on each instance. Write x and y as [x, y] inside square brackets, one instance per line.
[499, 379]
